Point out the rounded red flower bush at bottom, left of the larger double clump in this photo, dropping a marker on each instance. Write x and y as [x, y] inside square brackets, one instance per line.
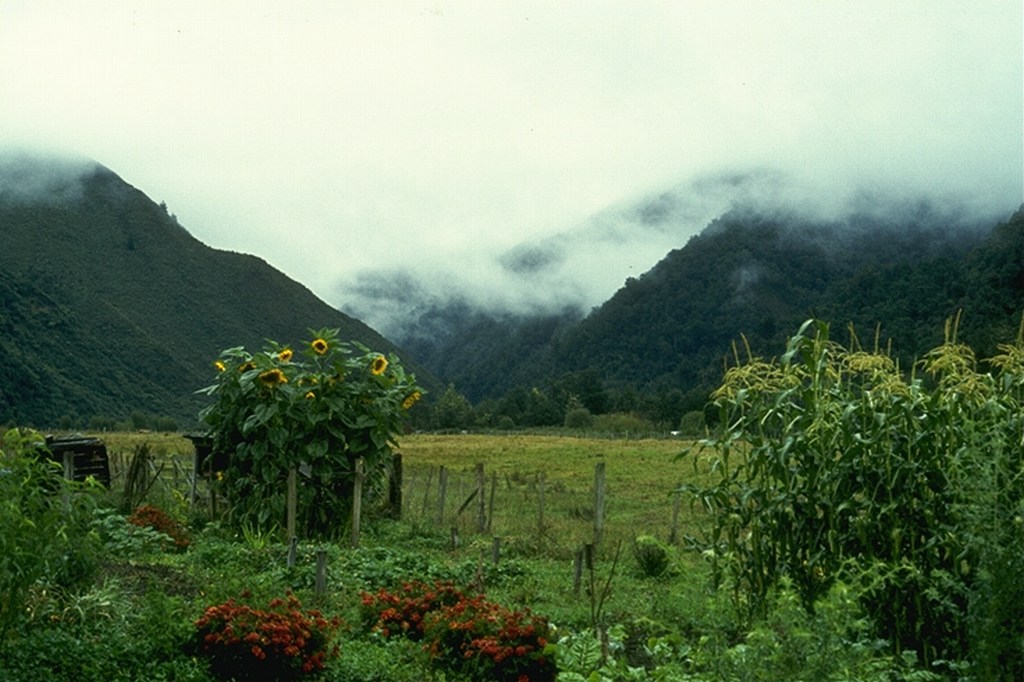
[281, 643]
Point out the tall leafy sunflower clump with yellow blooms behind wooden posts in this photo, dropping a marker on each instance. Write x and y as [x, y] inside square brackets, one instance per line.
[318, 408]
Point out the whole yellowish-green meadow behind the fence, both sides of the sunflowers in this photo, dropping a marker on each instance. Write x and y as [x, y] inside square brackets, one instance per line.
[641, 479]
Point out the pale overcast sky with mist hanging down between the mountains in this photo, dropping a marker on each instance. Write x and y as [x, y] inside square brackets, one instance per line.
[513, 151]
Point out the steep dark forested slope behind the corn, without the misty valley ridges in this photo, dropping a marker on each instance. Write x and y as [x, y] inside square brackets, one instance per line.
[761, 277]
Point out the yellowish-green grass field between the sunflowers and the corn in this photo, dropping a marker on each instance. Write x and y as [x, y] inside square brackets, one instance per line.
[641, 479]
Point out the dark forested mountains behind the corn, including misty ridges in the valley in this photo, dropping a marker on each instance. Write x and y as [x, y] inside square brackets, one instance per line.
[667, 334]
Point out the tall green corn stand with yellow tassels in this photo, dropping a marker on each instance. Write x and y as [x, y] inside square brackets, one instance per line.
[834, 462]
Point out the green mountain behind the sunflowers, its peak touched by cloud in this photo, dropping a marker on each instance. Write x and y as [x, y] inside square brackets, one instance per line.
[109, 307]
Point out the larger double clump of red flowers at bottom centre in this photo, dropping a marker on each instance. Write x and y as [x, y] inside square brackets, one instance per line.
[465, 634]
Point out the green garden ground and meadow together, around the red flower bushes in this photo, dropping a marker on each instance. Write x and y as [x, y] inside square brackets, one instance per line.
[133, 615]
